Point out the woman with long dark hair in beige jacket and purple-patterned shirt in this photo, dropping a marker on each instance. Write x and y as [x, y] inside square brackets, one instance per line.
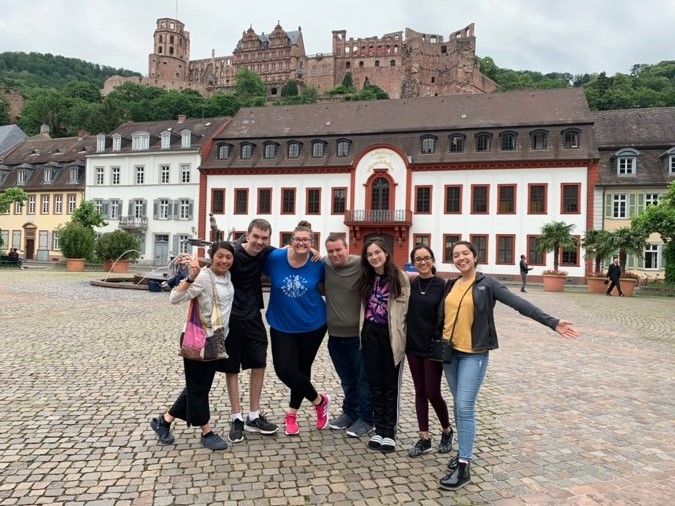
[384, 290]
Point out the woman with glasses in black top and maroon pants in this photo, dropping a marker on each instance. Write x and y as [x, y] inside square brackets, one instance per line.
[426, 291]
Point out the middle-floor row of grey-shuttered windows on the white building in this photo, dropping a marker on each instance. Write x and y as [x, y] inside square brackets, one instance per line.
[163, 209]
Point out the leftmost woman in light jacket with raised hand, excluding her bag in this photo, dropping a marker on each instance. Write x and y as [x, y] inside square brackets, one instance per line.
[211, 286]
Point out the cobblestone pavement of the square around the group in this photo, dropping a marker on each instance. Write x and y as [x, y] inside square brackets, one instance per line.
[84, 368]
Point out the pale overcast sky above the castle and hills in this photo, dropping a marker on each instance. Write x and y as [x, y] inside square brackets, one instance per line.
[575, 36]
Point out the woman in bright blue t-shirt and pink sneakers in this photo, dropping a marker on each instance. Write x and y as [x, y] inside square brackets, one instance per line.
[297, 317]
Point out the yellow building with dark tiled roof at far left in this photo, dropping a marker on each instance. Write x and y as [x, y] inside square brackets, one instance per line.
[51, 172]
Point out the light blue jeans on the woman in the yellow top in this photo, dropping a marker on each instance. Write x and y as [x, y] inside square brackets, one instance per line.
[465, 376]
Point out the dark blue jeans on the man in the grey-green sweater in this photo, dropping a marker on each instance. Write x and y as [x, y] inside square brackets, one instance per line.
[350, 365]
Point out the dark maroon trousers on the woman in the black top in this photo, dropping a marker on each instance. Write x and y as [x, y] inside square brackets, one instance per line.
[426, 376]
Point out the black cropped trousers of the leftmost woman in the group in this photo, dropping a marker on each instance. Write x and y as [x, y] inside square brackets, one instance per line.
[192, 404]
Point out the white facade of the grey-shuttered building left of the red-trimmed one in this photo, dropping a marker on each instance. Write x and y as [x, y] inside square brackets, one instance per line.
[151, 194]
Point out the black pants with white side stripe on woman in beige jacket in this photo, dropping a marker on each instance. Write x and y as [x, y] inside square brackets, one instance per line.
[384, 377]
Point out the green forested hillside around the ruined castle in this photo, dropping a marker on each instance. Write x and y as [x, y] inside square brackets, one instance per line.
[64, 92]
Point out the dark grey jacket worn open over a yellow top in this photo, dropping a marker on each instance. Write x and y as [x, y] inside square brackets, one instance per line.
[486, 291]
